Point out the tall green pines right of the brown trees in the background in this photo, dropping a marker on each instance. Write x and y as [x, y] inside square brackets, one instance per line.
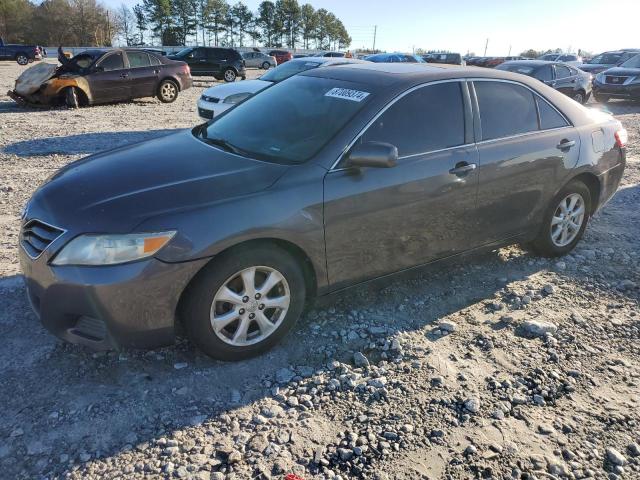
[283, 23]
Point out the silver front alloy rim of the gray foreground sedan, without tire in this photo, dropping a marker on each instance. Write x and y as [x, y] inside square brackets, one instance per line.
[250, 306]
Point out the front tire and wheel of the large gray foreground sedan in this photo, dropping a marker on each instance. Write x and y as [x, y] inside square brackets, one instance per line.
[244, 302]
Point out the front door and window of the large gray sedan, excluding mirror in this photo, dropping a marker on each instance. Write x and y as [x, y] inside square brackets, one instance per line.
[382, 220]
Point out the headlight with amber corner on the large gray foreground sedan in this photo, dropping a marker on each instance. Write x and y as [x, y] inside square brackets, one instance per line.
[111, 249]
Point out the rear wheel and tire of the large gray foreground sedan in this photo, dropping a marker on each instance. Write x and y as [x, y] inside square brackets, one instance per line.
[565, 221]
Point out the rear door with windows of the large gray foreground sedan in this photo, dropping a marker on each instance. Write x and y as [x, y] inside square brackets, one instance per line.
[526, 149]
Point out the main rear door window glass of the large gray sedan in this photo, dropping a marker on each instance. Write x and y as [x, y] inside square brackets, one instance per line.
[506, 109]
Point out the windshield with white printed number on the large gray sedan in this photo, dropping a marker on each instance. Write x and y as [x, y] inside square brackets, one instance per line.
[310, 111]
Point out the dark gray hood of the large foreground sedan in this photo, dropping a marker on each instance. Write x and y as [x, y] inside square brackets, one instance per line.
[116, 190]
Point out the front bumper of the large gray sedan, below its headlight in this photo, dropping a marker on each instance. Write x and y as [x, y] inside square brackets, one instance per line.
[129, 305]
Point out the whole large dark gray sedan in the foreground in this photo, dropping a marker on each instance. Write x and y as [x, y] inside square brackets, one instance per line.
[331, 178]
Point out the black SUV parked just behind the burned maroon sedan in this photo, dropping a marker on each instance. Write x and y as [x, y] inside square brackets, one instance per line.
[222, 63]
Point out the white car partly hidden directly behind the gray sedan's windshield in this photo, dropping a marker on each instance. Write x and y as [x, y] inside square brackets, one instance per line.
[219, 98]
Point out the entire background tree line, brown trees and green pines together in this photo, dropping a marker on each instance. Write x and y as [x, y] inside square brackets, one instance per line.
[280, 23]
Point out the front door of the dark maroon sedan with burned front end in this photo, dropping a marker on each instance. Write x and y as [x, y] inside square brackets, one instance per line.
[109, 79]
